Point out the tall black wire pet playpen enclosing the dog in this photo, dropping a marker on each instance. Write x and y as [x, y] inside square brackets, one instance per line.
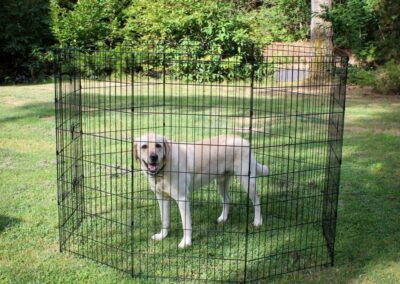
[287, 102]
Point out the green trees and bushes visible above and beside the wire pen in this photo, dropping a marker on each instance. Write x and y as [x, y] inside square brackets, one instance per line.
[368, 29]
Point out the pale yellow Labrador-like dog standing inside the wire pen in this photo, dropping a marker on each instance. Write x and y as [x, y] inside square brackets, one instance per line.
[174, 169]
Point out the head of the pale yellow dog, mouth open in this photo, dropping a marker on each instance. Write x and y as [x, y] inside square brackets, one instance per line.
[151, 151]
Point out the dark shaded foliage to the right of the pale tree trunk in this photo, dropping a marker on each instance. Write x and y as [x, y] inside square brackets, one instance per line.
[371, 28]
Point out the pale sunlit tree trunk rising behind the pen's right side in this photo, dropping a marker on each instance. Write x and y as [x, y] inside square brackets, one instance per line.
[321, 31]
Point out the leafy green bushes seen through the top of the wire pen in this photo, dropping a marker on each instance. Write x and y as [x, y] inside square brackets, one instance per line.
[179, 62]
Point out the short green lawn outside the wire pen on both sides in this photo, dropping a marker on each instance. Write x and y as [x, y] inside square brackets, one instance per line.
[368, 232]
